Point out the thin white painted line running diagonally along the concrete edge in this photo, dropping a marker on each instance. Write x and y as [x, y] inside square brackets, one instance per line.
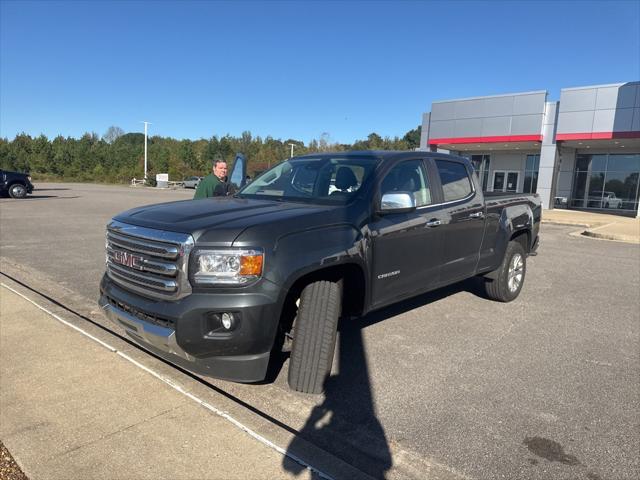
[178, 388]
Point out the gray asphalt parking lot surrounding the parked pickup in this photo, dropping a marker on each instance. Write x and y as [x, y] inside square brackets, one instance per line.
[446, 385]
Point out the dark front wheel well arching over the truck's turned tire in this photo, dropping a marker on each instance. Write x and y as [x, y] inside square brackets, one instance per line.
[350, 275]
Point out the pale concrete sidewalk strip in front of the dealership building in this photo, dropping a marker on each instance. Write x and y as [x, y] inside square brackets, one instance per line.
[597, 225]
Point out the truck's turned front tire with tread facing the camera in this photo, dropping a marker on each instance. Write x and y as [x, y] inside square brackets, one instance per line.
[315, 336]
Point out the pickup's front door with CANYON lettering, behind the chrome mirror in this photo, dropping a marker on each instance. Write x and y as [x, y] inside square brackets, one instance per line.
[407, 247]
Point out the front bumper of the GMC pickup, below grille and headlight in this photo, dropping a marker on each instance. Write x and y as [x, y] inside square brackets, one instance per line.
[180, 331]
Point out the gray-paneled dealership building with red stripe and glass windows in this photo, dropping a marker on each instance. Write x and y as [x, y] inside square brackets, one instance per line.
[582, 152]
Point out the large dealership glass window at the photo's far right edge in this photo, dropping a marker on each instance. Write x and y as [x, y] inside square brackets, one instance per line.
[606, 182]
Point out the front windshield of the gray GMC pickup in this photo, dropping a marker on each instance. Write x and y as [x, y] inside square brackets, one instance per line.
[321, 180]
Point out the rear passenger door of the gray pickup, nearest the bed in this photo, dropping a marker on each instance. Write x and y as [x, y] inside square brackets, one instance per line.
[463, 219]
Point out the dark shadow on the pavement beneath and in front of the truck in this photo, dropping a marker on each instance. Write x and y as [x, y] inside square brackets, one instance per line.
[345, 423]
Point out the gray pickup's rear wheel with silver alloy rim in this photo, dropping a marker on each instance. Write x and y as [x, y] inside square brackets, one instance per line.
[508, 279]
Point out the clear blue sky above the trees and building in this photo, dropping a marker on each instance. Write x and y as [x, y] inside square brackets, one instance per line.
[293, 69]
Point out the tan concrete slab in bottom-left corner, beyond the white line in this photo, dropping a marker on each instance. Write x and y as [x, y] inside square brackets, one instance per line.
[72, 409]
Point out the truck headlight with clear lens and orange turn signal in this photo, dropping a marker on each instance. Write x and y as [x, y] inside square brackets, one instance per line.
[227, 267]
